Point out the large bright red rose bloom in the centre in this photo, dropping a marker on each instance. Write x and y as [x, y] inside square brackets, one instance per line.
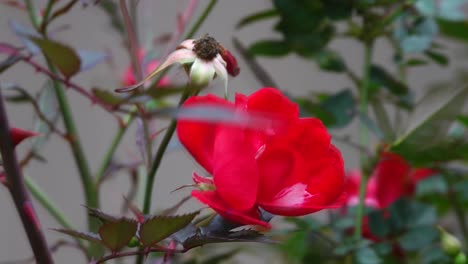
[289, 167]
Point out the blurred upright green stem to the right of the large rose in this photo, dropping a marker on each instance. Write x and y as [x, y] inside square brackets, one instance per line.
[363, 105]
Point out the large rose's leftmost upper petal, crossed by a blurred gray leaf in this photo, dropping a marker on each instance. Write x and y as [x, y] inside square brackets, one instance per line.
[198, 135]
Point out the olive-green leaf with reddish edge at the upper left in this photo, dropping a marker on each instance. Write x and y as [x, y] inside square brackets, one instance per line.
[61, 56]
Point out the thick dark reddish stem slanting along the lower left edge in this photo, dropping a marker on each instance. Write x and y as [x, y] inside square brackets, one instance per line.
[20, 194]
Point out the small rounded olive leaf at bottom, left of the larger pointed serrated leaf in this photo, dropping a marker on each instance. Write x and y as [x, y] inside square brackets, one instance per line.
[116, 235]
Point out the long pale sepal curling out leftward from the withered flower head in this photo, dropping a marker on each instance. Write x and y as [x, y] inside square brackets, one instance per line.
[181, 56]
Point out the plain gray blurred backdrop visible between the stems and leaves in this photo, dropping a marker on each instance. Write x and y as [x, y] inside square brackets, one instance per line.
[90, 29]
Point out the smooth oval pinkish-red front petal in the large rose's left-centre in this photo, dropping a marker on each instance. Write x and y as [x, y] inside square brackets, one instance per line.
[235, 171]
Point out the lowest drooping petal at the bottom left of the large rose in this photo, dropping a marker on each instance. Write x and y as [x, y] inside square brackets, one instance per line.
[213, 200]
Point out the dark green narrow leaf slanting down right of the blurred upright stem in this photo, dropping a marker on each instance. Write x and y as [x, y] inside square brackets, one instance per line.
[380, 77]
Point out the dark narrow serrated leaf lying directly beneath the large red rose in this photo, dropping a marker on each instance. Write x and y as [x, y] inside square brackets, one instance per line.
[236, 236]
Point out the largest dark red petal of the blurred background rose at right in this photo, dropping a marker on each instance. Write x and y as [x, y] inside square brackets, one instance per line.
[391, 175]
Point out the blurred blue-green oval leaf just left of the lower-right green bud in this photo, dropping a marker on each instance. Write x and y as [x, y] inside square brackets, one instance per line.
[418, 238]
